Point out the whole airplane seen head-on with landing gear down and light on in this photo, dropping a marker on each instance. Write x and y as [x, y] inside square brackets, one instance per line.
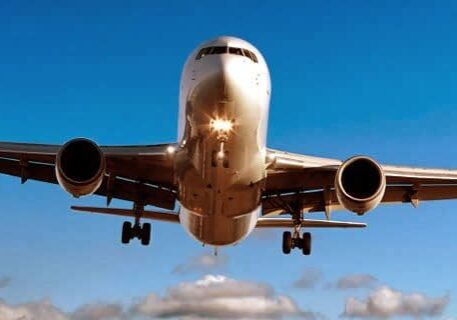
[220, 181]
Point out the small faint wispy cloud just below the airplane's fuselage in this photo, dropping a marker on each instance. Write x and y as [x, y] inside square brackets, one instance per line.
[203, 263]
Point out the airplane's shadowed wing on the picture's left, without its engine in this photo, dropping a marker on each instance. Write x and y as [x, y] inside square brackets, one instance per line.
[140, 174]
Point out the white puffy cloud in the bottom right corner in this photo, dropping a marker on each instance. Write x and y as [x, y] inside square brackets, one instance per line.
[385, 302]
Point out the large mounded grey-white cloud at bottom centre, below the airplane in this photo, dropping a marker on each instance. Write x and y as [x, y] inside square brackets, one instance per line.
[218, 297]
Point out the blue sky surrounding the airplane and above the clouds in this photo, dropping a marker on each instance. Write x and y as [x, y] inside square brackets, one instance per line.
[353, 77]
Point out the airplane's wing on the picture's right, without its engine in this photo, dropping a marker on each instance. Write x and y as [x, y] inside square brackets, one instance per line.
[310, 181]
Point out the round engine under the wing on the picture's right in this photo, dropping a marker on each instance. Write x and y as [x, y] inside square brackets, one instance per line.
[360, 184]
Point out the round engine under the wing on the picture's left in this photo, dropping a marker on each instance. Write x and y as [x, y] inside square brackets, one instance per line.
[80, 167]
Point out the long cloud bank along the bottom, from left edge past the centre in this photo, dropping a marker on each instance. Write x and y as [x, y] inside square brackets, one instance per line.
[211, 297]
